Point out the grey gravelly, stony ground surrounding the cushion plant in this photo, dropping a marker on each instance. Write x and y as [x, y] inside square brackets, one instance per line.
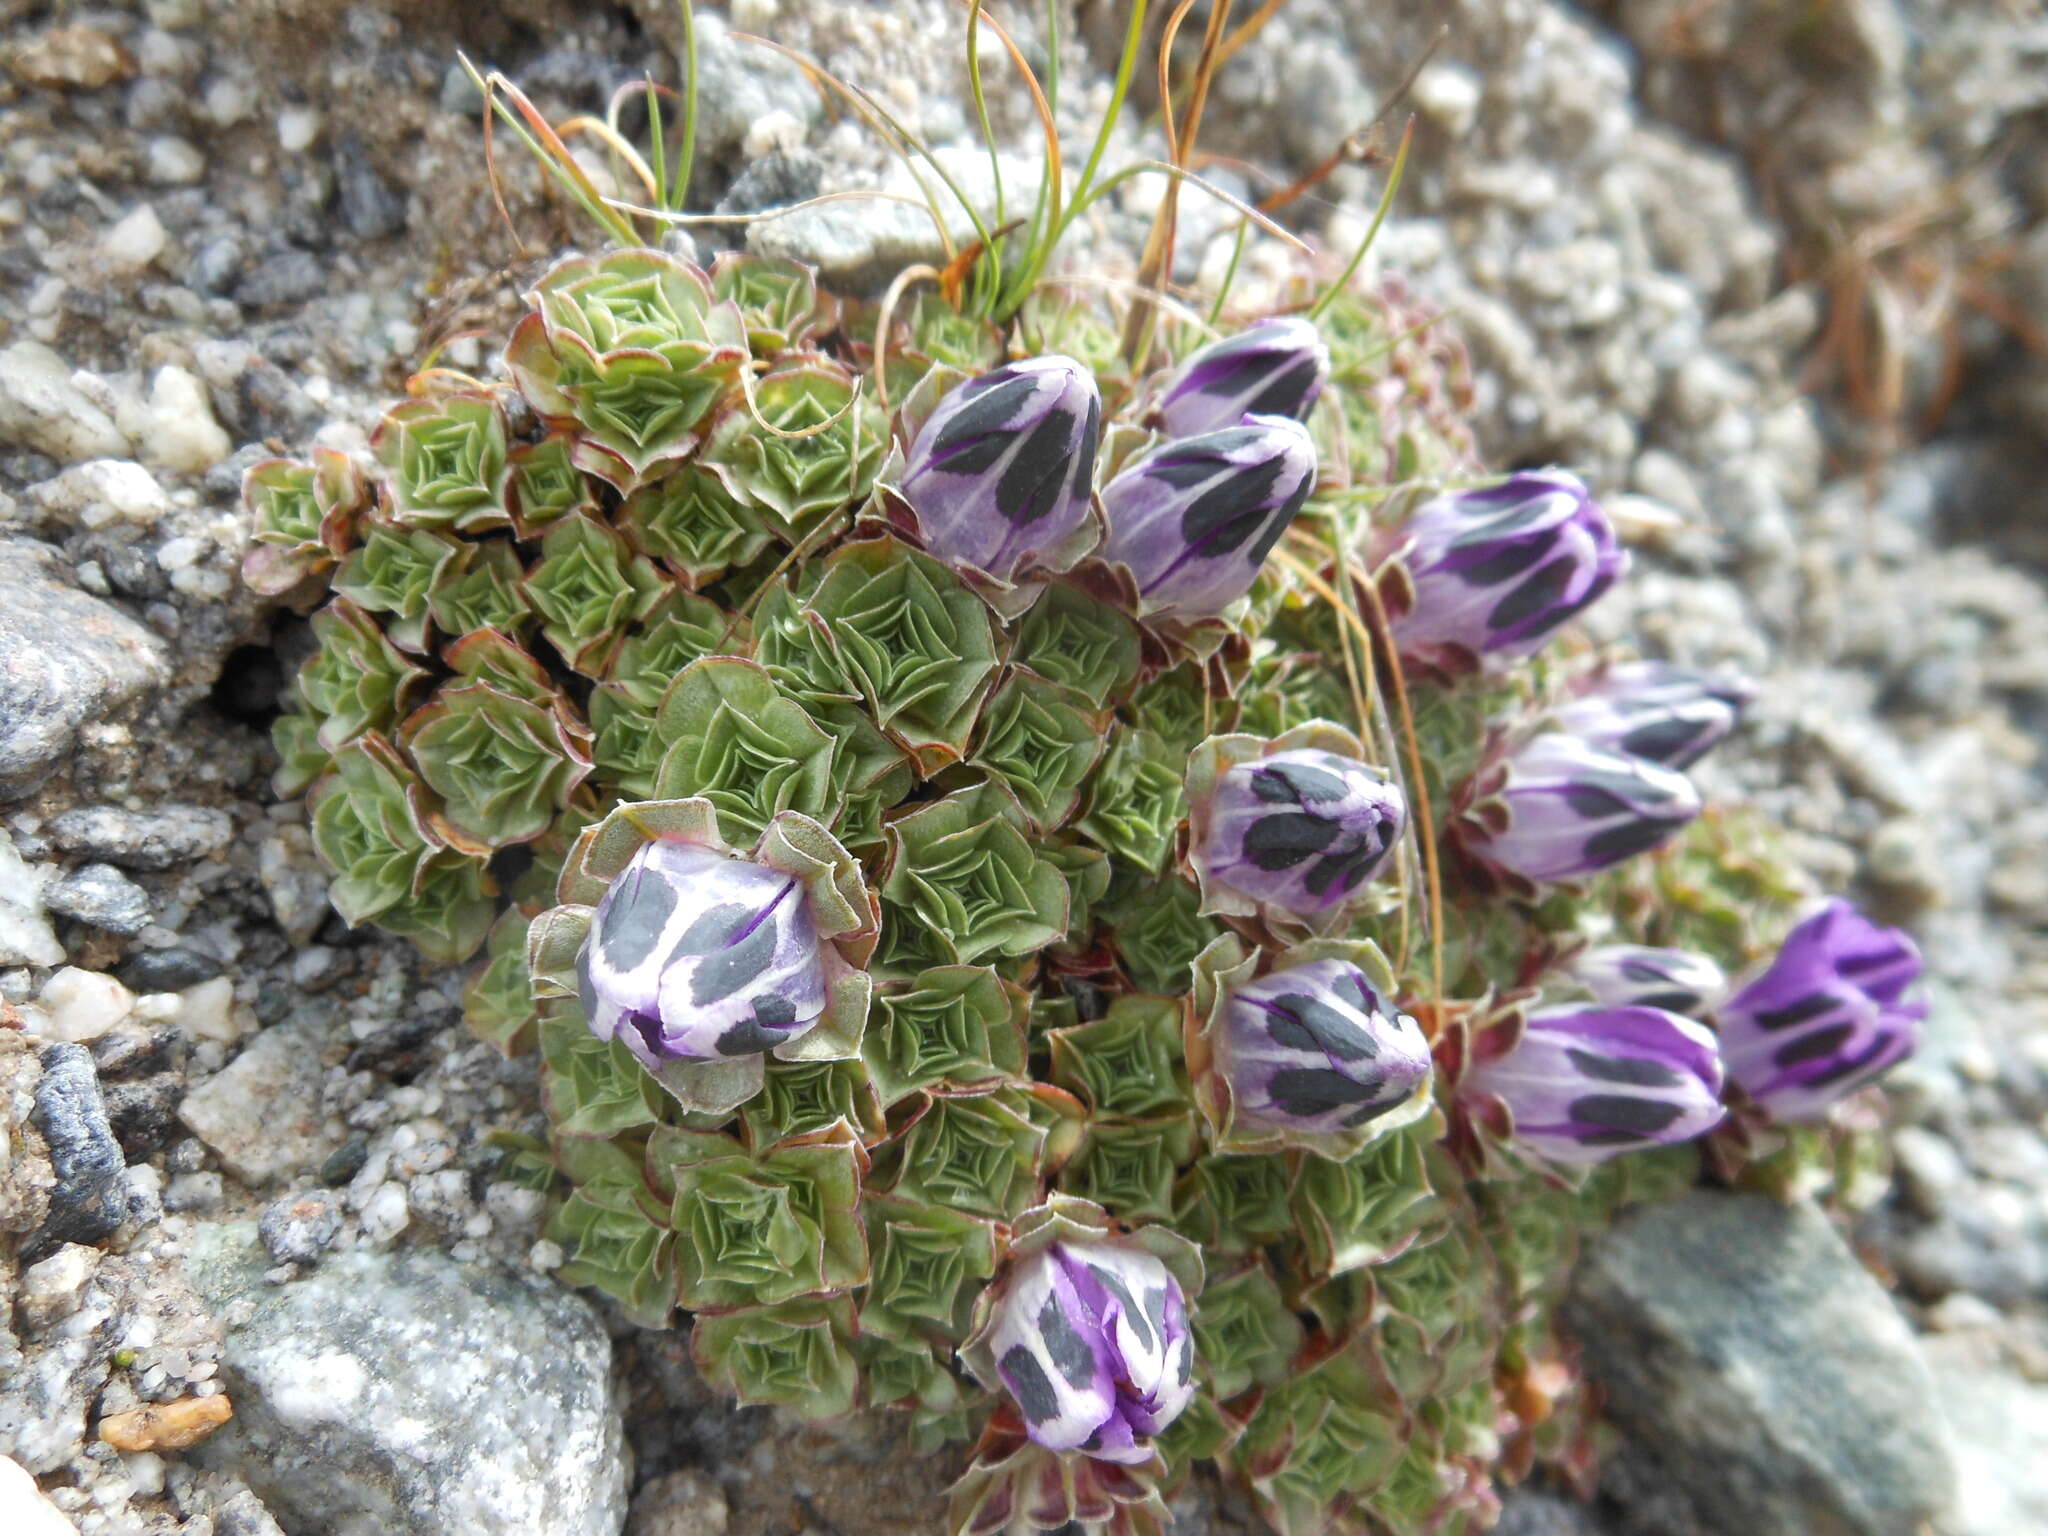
[1775, 278]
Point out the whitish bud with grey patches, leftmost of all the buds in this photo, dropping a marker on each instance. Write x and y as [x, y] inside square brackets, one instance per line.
[695, 955]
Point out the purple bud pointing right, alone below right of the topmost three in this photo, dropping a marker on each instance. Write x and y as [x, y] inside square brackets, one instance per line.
[1500, 568]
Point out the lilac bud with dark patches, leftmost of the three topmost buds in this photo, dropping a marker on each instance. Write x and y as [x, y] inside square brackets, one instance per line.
[1005, 468]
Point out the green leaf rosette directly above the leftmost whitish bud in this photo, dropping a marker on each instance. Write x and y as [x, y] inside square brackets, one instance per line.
[734, 738]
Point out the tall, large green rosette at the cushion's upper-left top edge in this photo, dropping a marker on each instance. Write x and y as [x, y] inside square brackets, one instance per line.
[634, 351]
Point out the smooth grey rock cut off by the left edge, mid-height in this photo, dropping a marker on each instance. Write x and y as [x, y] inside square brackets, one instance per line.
[67, 658]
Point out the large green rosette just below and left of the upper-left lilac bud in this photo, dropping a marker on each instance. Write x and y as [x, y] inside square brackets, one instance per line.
[898, 632]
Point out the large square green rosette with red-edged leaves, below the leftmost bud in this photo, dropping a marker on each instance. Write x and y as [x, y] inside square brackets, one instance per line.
[767, 1228]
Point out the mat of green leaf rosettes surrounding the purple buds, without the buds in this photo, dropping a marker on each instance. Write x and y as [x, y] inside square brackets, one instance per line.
[660, 562]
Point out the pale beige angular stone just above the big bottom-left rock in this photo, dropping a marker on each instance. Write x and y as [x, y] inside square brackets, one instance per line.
[261, 1115]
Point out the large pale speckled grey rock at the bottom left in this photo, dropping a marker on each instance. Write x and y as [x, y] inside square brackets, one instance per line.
[411, 1396]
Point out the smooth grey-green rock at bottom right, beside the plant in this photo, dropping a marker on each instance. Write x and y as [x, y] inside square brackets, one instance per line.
[1744, 1349]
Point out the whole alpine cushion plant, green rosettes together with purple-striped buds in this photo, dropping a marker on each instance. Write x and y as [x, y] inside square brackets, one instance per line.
[986, 820]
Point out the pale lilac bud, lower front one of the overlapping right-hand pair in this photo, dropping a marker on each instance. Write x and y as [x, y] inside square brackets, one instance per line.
[1576, 810]
